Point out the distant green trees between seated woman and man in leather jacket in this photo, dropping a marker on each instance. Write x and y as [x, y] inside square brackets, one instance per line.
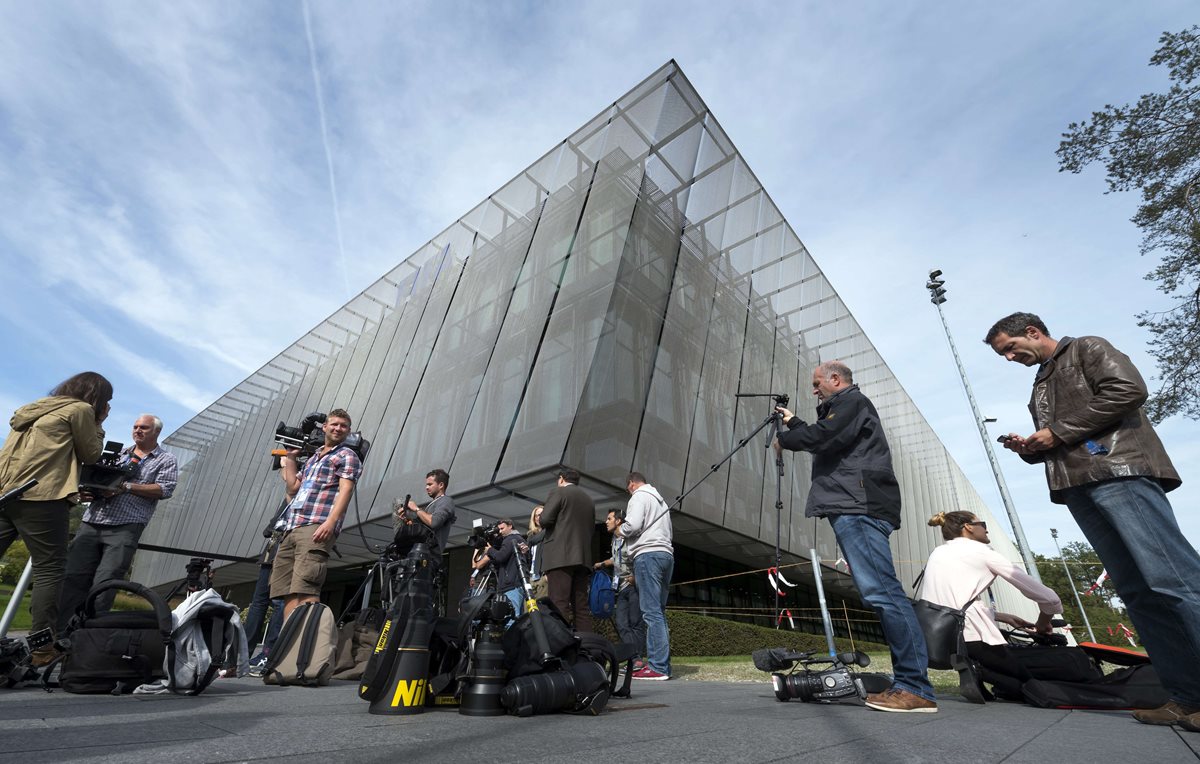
[1085, 568]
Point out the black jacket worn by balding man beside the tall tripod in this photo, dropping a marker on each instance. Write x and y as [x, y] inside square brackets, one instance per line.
[851, 460]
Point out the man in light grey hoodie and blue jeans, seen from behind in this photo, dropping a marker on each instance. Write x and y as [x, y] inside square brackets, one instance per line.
[647, 533]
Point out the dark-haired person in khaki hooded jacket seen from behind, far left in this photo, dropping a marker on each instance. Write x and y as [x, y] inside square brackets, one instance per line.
[49, 442]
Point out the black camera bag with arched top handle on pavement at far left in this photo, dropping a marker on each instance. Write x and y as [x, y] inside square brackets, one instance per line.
[116, 652]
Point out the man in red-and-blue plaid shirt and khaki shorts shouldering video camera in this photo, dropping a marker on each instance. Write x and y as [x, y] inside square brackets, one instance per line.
[320, 494]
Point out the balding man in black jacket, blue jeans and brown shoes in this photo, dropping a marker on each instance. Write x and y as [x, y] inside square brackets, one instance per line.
[855, 488]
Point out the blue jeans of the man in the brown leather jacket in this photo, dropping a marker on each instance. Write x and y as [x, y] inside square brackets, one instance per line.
[1130, 524]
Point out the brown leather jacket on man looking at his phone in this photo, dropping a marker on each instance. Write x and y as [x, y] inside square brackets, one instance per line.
[1090, 395]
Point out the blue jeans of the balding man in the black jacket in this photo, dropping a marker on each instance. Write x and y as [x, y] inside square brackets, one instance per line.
[865, 542]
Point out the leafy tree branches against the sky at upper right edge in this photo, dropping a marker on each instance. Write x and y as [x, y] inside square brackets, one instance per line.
[1155, 147]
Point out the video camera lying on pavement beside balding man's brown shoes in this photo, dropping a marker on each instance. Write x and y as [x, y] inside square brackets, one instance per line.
[797, 675]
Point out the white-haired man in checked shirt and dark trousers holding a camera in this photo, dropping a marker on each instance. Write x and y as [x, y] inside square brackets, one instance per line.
[109, 536]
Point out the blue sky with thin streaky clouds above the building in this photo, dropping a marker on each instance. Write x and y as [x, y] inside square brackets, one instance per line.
[188, 188]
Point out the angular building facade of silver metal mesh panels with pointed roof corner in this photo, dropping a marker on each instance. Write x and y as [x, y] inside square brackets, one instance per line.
[601, 311]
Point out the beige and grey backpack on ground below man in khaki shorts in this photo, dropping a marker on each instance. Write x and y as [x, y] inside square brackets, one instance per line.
[307, 651]
